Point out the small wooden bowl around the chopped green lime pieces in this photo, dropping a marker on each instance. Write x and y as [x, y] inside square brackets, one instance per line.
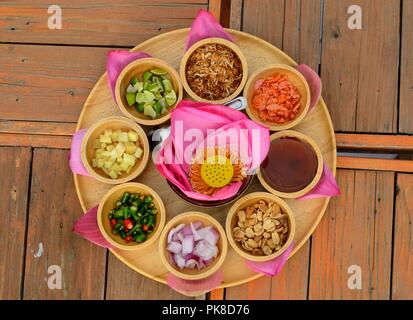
[136, 68]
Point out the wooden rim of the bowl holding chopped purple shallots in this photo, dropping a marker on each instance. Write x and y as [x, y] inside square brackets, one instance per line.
[175, 221]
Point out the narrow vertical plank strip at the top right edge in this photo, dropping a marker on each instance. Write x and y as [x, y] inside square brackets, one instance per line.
[406, 70]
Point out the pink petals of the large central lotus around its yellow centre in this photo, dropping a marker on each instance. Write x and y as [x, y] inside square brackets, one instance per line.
[215, 122]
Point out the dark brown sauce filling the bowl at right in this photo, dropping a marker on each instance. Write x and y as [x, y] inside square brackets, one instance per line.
[290, 166]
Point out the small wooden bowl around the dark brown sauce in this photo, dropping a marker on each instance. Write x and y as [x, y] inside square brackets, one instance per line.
[319, 172]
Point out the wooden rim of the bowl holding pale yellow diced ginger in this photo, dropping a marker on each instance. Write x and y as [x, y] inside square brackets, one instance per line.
[133, 126]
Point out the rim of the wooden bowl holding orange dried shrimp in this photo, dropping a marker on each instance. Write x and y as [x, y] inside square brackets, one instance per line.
[273, 126]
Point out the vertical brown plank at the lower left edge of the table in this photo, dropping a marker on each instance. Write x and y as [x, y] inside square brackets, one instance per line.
[15, 166]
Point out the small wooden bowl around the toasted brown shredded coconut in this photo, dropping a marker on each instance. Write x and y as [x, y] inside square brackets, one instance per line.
[227, 44]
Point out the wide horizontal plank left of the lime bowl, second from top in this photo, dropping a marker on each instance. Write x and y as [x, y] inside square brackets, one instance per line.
[52, 89]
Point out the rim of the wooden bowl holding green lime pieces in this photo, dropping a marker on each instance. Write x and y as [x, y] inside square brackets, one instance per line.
[160, 63]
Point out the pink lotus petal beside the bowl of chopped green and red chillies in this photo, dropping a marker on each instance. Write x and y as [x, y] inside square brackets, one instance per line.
[87, 227]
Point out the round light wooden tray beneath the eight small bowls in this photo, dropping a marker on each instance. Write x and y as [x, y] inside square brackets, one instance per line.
[170, 47]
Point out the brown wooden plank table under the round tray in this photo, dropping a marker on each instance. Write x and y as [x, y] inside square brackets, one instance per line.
[367, 75]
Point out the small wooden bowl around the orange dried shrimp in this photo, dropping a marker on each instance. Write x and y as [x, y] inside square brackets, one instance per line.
[295, 77]
